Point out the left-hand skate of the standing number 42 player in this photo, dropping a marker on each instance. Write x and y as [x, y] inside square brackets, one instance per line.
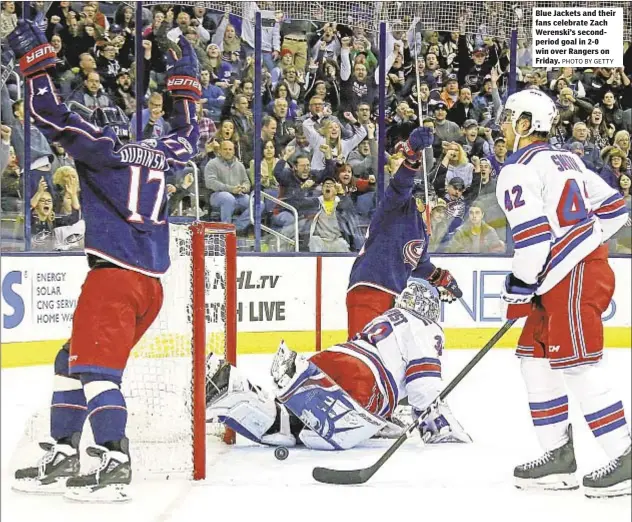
[555, 470]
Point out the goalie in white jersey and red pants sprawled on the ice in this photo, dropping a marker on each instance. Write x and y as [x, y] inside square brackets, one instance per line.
[342, 396]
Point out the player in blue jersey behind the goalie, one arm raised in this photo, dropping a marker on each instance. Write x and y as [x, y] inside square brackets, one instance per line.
[396, 247]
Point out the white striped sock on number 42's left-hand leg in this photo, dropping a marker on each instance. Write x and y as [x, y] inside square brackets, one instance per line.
[548, 401]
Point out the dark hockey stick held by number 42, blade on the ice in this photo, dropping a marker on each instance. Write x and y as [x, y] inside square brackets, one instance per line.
[360, 476]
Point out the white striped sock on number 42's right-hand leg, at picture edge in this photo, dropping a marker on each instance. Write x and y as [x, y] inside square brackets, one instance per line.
[602, 409]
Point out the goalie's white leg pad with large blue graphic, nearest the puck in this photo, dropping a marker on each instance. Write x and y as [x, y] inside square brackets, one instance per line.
[326, 409]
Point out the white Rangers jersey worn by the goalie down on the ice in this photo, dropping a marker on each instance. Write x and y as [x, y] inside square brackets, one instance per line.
[402, 350]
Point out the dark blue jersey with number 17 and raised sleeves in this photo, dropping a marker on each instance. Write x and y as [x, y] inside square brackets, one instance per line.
[123, 193]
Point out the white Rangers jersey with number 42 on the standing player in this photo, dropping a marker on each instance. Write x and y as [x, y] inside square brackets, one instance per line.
[558, 210]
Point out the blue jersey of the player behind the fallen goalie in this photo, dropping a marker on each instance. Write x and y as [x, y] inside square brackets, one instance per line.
[396, 247]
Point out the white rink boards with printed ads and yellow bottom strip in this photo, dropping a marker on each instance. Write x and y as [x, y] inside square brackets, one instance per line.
[277, 300]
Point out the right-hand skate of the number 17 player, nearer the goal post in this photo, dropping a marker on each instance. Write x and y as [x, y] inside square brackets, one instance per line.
[108, 482]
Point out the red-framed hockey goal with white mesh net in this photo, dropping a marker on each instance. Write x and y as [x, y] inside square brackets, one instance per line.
[164, 381]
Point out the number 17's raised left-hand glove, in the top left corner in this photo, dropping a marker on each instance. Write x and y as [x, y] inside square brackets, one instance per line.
[30, 46]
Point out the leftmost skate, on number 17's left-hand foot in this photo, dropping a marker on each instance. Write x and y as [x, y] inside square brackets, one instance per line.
[60, 462]
